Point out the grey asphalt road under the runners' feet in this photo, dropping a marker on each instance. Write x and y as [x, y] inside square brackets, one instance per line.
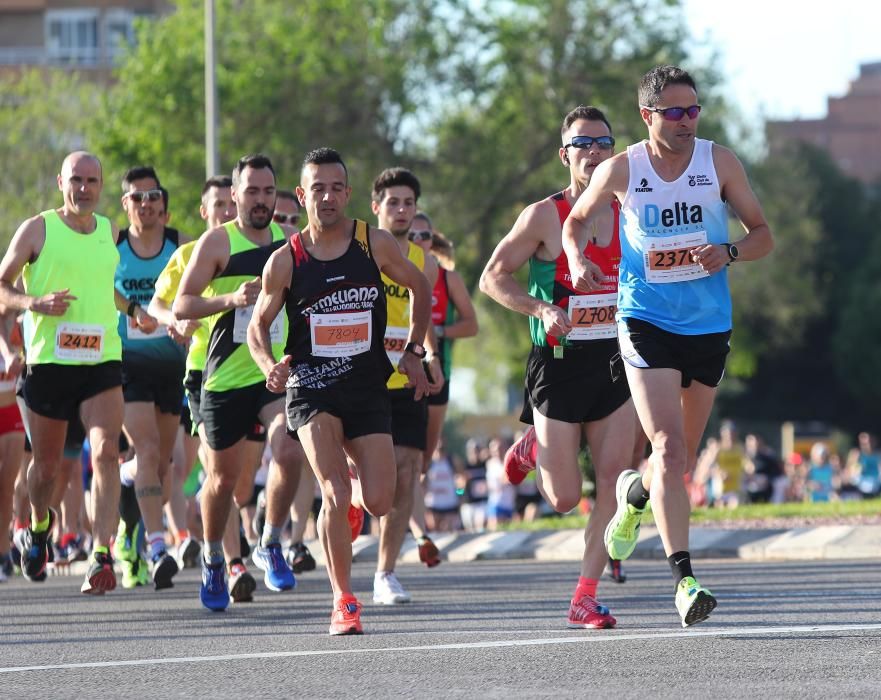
[481, 629]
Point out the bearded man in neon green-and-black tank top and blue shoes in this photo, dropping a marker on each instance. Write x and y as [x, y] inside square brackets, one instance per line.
[226, 267]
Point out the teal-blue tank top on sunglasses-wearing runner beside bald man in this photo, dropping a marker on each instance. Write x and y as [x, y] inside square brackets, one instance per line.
[136, 280]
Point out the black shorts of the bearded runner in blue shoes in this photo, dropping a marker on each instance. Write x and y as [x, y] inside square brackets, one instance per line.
[229, 416]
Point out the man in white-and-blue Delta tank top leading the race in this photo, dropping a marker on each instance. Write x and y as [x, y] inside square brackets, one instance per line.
[674, 307]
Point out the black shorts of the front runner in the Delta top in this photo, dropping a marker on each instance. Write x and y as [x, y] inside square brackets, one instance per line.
[699, 358]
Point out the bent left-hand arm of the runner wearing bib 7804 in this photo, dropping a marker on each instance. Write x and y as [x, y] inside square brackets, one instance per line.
[276, 279]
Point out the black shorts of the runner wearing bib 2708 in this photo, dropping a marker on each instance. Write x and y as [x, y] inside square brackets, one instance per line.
[586, 384]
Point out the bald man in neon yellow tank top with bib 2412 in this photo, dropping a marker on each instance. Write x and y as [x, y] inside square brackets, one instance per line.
[67, 258]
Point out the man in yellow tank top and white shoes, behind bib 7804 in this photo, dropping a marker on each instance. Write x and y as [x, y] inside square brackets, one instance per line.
[395, 193]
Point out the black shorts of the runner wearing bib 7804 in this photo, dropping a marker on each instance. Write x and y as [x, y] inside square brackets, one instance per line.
[362, 410]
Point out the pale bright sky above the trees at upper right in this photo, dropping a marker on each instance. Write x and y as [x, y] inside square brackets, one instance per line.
[785, 57]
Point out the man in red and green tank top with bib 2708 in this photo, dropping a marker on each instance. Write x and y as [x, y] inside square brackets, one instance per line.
[573, 382]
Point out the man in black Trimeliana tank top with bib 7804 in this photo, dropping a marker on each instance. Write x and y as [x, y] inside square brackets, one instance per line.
[335, 367]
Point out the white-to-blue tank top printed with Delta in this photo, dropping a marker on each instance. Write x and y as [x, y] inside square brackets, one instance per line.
[658, 282]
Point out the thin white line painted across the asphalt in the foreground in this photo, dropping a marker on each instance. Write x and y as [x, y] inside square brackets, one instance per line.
[591, 639]
